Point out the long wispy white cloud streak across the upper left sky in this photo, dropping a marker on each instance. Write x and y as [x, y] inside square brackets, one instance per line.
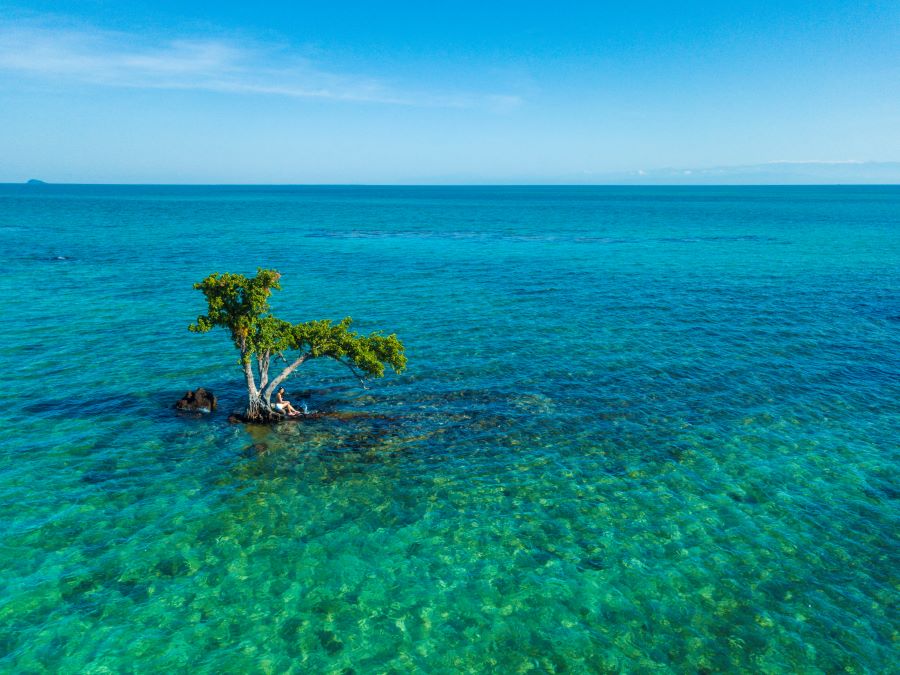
[87, 55]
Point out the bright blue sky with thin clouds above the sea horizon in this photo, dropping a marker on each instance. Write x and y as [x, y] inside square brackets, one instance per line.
[127, 91]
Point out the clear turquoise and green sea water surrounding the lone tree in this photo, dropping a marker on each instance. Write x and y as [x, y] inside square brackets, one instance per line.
[642, 429]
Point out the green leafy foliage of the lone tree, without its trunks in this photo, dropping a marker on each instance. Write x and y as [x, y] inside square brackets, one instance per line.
[241, 306]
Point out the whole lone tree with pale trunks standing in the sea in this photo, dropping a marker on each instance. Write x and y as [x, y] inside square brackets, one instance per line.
[241, 306]
